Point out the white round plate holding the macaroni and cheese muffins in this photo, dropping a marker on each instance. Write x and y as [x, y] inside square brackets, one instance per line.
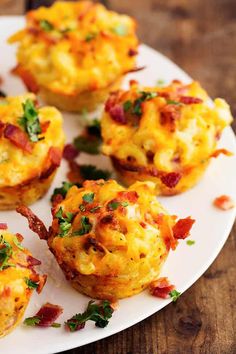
[183, 267]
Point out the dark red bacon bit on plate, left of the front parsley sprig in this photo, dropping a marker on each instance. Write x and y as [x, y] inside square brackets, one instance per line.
[48, 314]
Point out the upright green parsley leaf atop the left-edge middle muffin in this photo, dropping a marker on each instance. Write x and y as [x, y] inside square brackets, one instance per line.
[30, 120]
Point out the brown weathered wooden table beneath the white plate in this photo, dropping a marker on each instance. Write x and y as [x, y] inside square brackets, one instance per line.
[200, 36]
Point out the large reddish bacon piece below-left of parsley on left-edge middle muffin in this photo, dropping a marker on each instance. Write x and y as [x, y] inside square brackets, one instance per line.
[17, 137]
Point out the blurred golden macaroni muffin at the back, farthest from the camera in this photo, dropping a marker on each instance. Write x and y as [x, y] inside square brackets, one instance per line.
[74, 53]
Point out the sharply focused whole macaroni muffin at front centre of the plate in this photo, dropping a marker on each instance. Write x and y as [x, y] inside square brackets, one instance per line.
[111, 242]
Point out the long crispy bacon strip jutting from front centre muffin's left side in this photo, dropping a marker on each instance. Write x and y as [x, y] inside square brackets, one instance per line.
[35, 224]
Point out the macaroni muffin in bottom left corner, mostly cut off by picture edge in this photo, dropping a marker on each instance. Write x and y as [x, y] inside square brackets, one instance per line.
[18, 279]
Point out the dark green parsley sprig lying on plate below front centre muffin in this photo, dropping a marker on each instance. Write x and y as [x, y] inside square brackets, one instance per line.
[99, 313]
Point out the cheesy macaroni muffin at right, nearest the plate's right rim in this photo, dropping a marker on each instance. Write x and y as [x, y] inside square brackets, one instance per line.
[163, 134]
